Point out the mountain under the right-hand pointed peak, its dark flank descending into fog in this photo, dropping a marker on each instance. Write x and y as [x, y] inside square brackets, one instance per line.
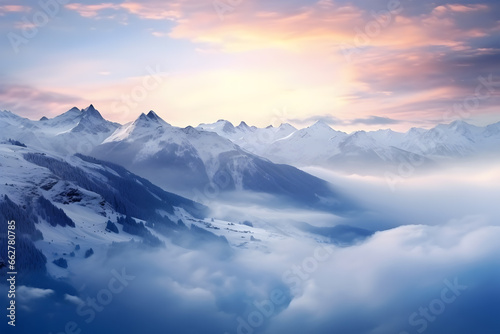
[190, 160]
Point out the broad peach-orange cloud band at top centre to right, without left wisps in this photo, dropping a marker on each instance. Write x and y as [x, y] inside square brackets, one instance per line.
[326, 24]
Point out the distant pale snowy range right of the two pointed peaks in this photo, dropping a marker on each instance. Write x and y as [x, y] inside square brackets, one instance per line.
[361, 151]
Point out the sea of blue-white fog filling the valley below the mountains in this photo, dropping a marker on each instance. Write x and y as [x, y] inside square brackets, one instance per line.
[431, 266]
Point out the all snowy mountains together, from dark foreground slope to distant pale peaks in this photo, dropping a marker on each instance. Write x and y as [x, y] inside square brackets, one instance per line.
[85, 191]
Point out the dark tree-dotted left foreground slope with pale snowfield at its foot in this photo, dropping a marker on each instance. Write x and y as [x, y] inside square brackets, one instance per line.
[75, 210]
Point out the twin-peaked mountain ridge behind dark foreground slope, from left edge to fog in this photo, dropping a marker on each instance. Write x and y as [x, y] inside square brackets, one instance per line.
[192, 162]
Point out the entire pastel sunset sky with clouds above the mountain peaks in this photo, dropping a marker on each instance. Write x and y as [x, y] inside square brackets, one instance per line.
[354, 64]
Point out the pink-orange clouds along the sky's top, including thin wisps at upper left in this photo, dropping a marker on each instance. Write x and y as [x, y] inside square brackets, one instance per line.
[321, 26]
